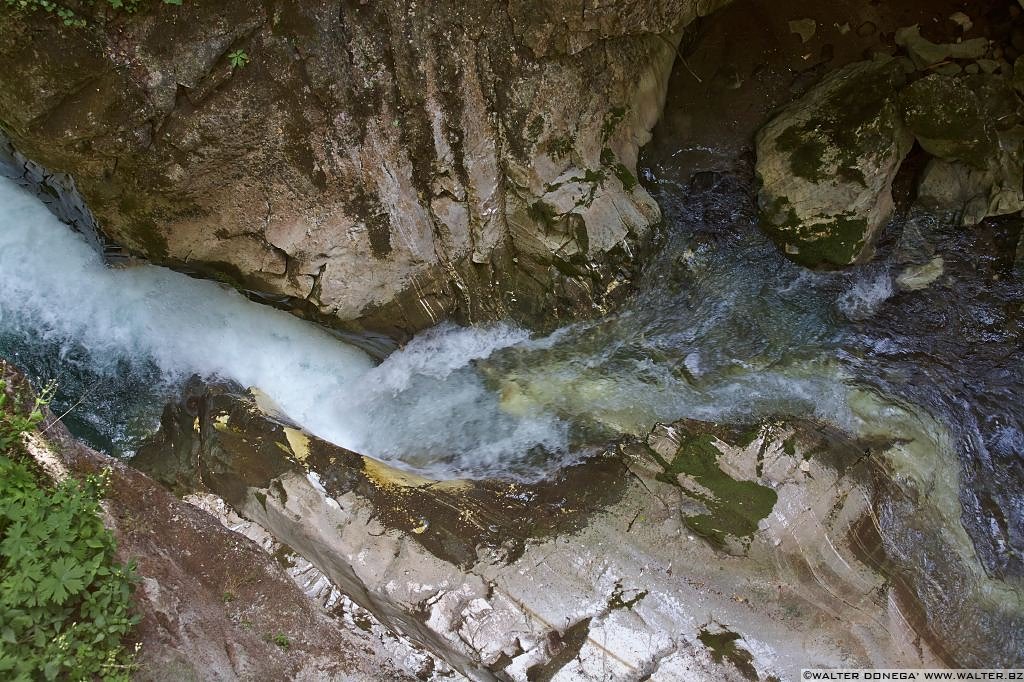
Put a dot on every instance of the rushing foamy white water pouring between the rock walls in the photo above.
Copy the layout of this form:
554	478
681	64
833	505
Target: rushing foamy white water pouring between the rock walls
423	404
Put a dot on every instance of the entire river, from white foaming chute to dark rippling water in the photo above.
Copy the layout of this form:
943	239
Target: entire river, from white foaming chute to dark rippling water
919	352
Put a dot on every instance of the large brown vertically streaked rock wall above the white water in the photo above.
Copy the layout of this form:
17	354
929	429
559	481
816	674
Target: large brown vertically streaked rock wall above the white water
385	165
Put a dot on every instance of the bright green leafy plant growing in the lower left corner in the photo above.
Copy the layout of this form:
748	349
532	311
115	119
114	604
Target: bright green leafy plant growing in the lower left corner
65	601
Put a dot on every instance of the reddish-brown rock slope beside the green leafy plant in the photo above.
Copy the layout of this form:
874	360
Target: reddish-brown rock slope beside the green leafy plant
212	605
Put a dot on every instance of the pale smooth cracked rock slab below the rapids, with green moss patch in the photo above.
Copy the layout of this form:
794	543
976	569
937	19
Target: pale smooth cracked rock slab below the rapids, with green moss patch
700	552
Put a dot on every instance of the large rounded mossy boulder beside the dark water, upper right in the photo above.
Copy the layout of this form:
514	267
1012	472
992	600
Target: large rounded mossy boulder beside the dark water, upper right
827	163
